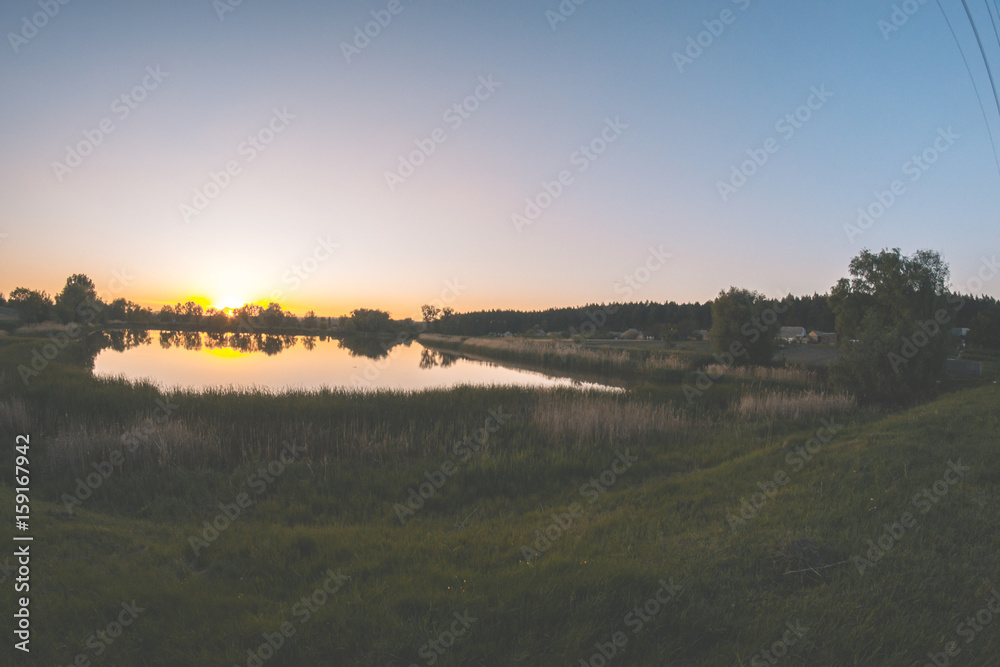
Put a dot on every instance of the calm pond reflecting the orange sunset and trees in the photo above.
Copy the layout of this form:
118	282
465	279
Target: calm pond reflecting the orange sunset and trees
195	360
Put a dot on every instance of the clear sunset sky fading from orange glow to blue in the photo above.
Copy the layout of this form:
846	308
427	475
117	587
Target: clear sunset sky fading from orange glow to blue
392	153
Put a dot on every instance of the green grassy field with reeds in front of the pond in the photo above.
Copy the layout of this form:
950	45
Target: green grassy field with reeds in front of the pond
500	526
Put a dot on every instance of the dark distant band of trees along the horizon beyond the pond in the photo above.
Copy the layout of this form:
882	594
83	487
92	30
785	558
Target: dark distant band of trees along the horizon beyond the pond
79	302
